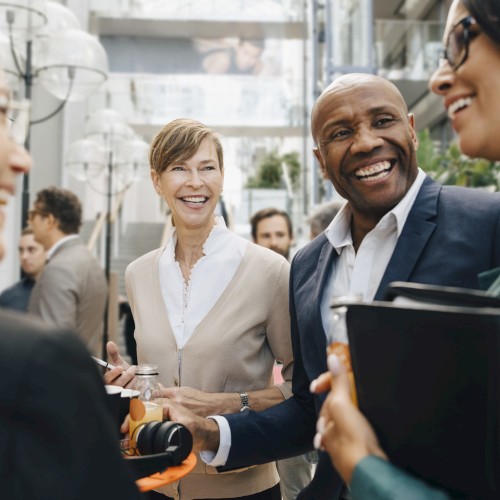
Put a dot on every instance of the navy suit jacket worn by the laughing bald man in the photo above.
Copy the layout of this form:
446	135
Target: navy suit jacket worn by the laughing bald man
450	235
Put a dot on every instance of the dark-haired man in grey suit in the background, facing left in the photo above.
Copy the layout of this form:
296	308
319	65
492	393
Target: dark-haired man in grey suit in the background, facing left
72	290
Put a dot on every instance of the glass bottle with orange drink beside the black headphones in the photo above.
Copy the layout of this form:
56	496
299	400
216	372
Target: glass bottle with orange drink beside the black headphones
147	407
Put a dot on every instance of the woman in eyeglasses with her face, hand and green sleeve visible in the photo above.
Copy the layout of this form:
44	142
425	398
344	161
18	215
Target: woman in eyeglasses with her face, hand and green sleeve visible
469	80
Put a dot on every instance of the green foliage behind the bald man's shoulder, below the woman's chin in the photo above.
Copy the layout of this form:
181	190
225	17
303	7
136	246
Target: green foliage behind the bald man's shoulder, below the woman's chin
453	168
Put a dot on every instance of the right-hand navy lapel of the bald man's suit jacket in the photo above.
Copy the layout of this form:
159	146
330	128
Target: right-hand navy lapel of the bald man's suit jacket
417	230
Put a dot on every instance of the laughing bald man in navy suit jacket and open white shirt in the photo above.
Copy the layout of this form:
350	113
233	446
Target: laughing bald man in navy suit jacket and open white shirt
397	225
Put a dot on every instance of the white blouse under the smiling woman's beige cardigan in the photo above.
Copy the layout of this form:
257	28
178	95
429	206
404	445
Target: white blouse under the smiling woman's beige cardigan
188	303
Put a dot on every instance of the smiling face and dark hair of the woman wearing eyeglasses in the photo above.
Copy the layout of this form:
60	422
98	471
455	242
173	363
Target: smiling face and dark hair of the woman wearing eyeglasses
469	76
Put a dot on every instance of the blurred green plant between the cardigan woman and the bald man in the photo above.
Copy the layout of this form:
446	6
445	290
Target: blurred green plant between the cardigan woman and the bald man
270	171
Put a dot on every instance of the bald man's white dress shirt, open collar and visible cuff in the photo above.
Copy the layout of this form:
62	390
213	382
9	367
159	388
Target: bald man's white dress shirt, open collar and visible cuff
352	273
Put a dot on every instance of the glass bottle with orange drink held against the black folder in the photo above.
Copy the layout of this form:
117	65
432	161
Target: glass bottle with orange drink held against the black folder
337	338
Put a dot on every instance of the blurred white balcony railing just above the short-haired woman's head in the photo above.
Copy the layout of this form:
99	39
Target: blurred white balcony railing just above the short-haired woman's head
218	100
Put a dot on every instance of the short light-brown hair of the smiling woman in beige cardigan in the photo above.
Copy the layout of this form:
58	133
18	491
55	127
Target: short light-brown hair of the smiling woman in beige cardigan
178	141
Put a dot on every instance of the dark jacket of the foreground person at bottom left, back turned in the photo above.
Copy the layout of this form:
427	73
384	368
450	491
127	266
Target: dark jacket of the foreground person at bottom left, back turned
57	440
